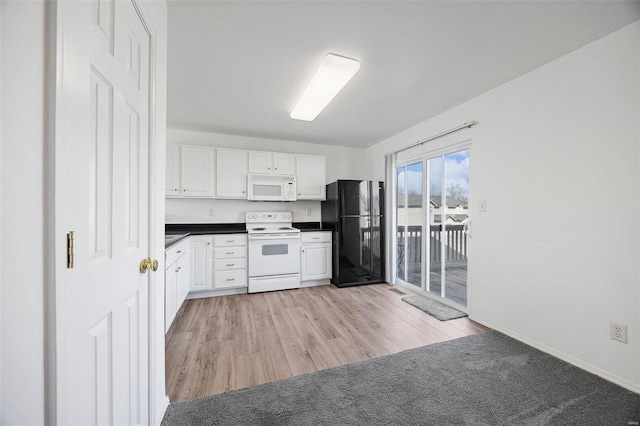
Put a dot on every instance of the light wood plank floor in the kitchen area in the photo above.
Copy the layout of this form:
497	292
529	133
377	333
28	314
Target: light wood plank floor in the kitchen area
224	343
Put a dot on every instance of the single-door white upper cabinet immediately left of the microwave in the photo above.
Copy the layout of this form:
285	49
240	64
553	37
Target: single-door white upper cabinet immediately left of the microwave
231	173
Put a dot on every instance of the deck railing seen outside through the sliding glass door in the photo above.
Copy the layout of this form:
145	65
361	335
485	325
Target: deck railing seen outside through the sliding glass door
410	244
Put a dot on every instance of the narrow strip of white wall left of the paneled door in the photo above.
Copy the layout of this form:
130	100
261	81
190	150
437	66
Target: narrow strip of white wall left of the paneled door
22	207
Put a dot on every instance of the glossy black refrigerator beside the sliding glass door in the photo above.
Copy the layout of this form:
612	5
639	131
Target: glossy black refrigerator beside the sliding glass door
353	212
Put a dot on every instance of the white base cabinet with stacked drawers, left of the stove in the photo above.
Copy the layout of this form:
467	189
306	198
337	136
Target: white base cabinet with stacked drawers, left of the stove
229	261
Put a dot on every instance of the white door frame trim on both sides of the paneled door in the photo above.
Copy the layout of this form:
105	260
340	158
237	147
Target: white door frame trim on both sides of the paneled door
55	242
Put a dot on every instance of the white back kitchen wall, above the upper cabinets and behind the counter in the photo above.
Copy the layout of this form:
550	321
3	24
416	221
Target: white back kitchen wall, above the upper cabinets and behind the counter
342	163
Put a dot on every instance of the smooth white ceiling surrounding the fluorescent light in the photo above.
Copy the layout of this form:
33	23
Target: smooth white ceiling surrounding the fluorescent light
239	67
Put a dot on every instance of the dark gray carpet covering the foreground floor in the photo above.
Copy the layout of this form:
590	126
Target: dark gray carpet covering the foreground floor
485	379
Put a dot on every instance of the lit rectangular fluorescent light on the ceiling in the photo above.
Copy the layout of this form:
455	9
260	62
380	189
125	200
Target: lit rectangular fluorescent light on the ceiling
332	75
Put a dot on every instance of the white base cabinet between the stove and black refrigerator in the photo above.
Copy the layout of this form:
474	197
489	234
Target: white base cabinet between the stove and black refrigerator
315	256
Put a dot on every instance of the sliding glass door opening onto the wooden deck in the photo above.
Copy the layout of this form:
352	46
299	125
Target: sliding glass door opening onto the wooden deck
432	219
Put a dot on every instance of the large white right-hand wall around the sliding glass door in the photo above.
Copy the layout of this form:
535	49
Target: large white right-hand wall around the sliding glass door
563	138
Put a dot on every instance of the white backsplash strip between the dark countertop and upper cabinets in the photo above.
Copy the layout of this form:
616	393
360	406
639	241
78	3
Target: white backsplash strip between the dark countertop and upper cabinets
191	210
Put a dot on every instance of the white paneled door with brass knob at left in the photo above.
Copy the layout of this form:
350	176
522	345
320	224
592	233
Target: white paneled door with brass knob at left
102	186
